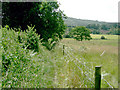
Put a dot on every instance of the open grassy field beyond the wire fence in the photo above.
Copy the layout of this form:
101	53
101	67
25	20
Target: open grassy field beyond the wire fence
99	53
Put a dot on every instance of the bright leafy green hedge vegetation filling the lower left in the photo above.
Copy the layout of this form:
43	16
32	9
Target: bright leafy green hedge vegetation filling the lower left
22	67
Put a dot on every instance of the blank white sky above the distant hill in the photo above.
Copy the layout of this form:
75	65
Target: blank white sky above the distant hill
101	10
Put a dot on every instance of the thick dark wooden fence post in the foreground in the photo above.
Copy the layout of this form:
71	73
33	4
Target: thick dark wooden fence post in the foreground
97	77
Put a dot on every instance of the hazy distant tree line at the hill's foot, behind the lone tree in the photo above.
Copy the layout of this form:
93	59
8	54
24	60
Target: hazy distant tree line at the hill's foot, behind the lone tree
111	28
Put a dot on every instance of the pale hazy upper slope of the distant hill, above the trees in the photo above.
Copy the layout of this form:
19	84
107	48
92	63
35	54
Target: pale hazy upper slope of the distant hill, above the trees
81	22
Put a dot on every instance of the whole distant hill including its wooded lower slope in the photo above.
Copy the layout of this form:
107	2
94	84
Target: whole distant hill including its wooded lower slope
96	27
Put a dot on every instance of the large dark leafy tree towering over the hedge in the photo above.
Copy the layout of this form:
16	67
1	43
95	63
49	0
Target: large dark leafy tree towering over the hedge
46	16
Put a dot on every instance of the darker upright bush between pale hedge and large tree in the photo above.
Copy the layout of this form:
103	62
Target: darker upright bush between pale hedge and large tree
30	38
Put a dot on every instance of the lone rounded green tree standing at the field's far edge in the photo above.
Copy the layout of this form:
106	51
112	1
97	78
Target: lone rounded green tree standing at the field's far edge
80	32
